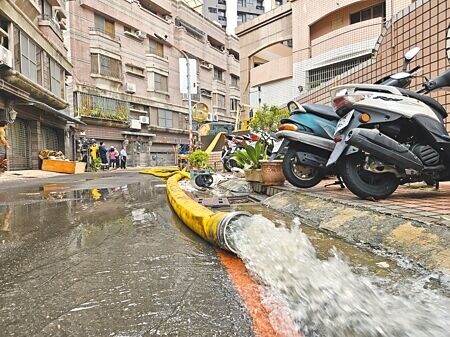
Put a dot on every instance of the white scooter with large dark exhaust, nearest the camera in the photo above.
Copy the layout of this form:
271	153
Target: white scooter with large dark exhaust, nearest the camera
390	137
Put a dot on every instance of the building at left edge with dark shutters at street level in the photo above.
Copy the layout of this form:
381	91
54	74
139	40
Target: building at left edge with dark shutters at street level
33	72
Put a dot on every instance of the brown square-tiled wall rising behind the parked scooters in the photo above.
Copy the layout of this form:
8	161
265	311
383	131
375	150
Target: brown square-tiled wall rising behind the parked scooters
424	24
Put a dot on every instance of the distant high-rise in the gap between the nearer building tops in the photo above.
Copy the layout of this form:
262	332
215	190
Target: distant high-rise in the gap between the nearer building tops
230	14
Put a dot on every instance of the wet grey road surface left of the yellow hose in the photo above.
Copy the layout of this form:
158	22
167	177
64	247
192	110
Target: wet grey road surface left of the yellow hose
104	255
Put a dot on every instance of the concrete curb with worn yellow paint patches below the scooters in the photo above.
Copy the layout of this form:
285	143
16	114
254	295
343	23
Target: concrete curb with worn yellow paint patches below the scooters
426	244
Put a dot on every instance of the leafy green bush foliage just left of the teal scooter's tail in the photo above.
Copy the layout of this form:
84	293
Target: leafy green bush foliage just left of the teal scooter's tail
267	118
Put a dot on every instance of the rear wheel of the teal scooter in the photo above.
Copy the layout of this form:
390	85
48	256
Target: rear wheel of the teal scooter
298	174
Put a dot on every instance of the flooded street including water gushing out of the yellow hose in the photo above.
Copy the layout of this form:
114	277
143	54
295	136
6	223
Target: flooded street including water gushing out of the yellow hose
104	255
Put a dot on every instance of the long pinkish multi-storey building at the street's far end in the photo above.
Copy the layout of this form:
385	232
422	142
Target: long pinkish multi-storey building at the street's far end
127	80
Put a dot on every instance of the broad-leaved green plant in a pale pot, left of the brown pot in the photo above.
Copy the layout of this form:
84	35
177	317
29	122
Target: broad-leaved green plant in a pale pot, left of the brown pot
250	159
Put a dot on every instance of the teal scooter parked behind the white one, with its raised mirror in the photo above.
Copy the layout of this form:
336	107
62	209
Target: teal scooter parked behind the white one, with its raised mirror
308	134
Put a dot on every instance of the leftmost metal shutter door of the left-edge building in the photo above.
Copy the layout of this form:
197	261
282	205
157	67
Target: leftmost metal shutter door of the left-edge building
19	139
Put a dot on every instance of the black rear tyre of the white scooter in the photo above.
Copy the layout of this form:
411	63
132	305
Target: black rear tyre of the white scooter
363	183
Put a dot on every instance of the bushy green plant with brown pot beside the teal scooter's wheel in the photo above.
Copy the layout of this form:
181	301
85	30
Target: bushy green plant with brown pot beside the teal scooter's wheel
266	121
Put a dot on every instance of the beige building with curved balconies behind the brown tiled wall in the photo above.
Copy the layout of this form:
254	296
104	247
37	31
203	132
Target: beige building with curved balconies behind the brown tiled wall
301	46
